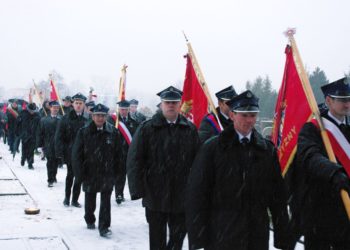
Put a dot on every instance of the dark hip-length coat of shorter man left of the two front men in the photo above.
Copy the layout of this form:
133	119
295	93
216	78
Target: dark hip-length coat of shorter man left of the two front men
97	157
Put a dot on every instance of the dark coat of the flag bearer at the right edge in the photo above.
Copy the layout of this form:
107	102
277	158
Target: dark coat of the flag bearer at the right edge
318	205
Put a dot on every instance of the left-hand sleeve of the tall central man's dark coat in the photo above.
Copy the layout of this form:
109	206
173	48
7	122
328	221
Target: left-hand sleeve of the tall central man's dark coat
135	165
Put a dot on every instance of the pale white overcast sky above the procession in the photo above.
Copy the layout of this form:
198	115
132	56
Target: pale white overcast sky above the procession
235	41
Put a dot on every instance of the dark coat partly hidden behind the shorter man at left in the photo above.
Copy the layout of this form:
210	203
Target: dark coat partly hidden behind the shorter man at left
65	134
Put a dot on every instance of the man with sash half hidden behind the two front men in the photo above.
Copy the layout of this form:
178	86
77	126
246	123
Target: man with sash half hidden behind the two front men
210	126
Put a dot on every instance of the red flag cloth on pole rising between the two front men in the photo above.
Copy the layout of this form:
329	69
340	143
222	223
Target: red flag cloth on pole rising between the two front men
194	101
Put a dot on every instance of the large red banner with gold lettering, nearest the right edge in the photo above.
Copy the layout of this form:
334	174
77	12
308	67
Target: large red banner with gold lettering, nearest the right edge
291	112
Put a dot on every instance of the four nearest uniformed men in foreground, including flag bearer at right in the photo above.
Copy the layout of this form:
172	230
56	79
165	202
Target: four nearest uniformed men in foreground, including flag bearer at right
222	183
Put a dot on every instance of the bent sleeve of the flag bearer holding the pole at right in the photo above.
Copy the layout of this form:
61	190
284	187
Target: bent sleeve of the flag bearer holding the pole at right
312	155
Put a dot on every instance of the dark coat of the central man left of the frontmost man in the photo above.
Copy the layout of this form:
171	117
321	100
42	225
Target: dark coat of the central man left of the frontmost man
159	162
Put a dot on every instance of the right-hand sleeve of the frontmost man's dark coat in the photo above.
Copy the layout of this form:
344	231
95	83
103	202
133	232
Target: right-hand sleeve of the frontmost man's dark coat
278	204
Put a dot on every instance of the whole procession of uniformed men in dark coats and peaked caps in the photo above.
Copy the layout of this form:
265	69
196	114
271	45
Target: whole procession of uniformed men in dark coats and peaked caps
220	183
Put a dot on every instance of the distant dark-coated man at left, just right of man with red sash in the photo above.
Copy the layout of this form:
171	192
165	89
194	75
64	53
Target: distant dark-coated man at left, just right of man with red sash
28	121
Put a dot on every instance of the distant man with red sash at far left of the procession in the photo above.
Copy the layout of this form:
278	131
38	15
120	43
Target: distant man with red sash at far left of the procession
12	113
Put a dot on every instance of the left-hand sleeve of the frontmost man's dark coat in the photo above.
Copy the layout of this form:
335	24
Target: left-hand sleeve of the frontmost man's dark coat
198	195
